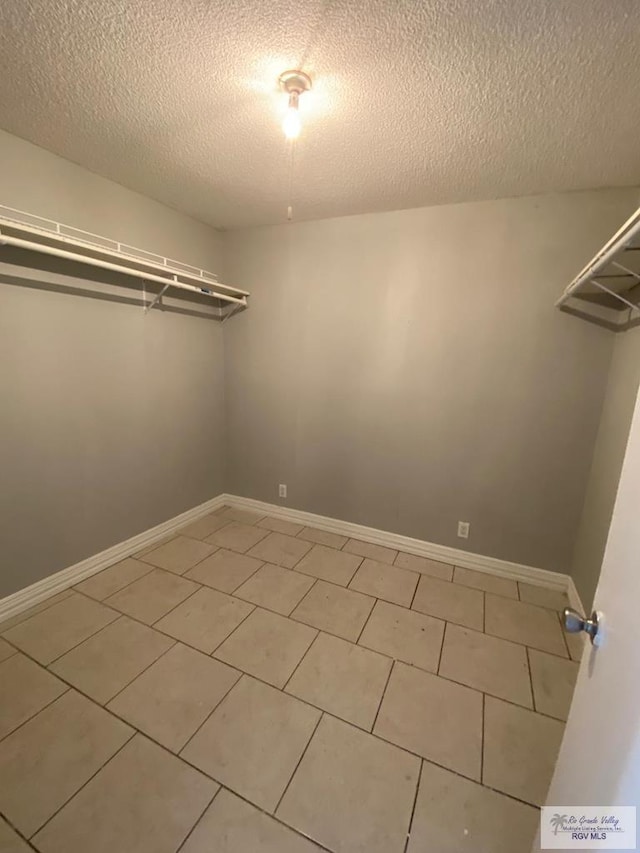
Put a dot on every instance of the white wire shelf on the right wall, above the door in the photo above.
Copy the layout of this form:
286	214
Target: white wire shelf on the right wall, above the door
608	288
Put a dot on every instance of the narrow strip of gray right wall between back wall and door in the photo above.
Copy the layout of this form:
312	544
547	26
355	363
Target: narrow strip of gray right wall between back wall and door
608	456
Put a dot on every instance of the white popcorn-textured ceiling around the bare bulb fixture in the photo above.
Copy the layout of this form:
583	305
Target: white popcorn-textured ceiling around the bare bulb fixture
415	102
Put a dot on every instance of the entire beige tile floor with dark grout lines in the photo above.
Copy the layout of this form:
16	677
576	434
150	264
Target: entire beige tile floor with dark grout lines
255	685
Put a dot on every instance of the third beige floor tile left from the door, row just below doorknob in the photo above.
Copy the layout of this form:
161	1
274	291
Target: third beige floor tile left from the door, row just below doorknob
404	635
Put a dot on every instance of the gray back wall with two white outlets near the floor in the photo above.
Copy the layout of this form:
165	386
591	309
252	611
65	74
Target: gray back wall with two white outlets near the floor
408	370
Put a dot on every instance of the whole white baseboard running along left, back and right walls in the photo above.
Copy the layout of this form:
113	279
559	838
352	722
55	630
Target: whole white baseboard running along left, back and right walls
51	585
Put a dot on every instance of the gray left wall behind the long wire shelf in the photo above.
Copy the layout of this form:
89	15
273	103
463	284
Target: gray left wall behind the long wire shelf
111	421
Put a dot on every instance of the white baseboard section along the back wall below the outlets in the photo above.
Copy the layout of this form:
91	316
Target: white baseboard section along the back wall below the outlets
442	553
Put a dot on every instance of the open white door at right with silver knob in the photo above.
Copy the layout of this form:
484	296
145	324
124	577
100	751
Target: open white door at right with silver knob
599	761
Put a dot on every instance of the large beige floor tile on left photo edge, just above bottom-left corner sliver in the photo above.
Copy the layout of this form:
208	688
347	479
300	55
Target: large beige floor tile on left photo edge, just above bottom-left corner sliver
46	761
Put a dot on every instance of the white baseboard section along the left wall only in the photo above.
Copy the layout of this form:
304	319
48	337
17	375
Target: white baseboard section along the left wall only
51	585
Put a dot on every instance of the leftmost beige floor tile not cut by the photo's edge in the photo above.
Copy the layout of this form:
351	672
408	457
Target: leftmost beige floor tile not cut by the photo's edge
108	661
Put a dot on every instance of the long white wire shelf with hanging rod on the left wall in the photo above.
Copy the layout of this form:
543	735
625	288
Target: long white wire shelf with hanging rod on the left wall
46	236
